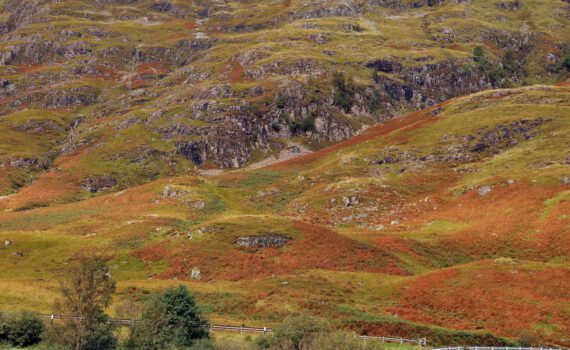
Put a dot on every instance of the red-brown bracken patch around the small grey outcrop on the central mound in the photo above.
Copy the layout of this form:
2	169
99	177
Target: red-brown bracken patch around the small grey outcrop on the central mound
319	248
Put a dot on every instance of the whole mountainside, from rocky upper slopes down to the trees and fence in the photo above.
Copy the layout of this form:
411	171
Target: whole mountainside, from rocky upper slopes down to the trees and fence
127	128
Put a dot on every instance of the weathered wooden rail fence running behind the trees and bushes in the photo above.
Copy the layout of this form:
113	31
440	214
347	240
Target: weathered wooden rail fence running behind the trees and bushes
245	329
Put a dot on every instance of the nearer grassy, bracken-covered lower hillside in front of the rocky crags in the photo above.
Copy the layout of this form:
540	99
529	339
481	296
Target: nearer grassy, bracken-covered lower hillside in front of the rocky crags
453	217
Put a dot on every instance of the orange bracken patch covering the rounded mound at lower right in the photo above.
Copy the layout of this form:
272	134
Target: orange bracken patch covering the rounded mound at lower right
503	298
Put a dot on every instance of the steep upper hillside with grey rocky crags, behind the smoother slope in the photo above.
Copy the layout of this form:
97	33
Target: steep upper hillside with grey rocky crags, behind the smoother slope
109	94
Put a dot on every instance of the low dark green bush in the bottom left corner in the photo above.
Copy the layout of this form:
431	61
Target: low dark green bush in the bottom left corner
25	330
